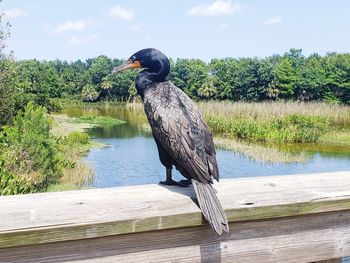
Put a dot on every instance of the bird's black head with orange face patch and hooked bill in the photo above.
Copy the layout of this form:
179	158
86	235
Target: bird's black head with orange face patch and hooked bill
152	60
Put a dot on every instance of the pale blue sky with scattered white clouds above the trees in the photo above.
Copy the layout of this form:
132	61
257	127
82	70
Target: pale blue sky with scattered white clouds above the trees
202	29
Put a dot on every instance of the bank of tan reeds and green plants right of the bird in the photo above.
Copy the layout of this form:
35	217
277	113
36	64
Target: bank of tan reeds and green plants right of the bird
276	122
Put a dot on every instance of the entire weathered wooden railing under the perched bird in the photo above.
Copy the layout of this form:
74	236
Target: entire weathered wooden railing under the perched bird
292	218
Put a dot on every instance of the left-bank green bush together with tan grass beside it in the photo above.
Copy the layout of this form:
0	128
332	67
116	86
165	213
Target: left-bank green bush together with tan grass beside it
32	158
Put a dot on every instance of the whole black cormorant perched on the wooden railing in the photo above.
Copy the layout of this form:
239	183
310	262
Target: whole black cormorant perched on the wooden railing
181	134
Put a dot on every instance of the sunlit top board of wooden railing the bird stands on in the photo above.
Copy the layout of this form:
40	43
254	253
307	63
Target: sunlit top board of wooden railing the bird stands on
51	217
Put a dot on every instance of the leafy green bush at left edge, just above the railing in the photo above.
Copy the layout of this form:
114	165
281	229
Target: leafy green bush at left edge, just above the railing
29	156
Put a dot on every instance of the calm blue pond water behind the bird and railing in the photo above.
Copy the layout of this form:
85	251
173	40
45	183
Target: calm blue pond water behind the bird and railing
131	157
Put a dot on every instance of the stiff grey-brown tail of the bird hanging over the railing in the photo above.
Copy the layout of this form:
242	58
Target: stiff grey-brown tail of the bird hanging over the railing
210	206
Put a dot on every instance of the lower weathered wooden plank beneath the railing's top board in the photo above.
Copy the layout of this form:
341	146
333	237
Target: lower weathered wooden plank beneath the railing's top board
306	238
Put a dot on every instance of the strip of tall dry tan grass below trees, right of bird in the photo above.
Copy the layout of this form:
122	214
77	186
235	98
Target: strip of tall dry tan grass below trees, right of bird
338	115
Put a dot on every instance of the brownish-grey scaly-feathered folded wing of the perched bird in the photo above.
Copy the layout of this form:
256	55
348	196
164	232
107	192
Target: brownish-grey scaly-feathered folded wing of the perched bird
179	127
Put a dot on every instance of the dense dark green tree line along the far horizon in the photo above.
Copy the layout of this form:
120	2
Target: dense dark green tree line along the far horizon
291	76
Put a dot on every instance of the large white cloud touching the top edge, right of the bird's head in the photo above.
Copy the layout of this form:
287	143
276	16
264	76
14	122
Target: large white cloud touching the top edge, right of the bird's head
217	8
